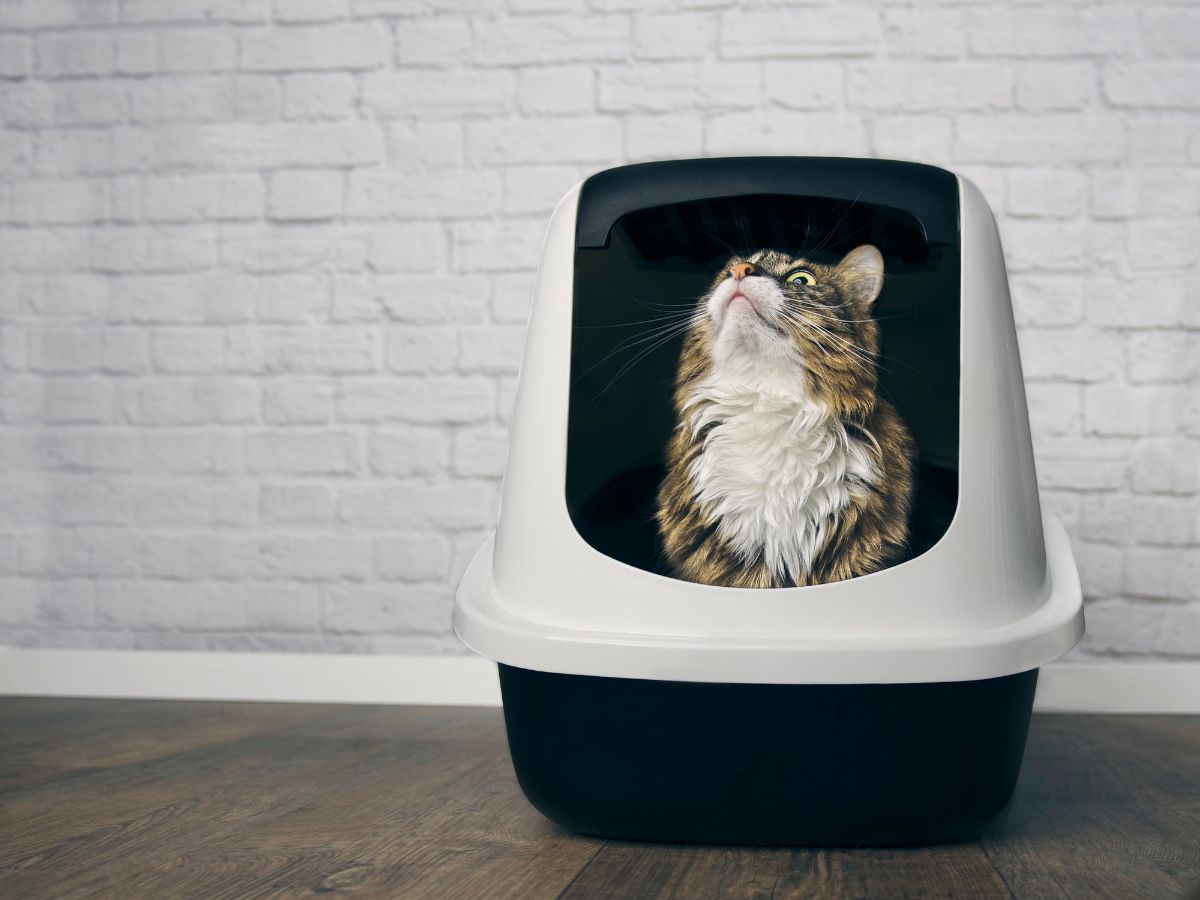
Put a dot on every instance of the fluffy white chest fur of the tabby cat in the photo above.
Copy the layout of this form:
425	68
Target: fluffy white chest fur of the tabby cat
776	470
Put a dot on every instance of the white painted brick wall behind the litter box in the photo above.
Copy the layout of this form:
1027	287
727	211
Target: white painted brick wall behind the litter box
265	269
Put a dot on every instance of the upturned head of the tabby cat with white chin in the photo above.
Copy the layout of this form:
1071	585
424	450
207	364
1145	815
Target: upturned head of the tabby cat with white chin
773	315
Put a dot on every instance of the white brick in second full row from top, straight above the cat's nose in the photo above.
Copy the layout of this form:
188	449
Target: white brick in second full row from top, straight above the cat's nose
669	87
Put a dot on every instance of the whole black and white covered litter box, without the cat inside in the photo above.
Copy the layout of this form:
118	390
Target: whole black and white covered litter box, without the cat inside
886	709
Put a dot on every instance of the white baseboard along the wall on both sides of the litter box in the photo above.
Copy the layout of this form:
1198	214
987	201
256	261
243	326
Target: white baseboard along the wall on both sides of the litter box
470	681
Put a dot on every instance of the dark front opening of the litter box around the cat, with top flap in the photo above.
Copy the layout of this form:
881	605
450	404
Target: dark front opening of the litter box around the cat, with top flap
634	279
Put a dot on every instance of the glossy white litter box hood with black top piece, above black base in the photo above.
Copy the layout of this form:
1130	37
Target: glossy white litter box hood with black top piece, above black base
998	593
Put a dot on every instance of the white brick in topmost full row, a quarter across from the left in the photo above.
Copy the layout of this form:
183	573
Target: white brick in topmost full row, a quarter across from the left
333	47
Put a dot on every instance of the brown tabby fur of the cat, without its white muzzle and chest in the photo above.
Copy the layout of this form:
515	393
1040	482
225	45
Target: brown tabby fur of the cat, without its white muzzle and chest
872	532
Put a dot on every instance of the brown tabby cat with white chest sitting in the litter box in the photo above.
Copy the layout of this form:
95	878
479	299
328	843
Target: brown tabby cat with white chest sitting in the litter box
787	467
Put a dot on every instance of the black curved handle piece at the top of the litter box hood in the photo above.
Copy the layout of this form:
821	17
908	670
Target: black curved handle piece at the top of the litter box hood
927	193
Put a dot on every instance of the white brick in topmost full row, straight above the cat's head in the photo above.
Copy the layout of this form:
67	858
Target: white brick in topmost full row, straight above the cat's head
842	32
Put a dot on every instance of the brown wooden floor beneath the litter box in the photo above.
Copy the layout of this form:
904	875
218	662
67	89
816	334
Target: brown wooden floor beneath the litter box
151	800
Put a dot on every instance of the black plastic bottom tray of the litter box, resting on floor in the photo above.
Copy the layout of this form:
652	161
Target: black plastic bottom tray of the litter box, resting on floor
767	765
